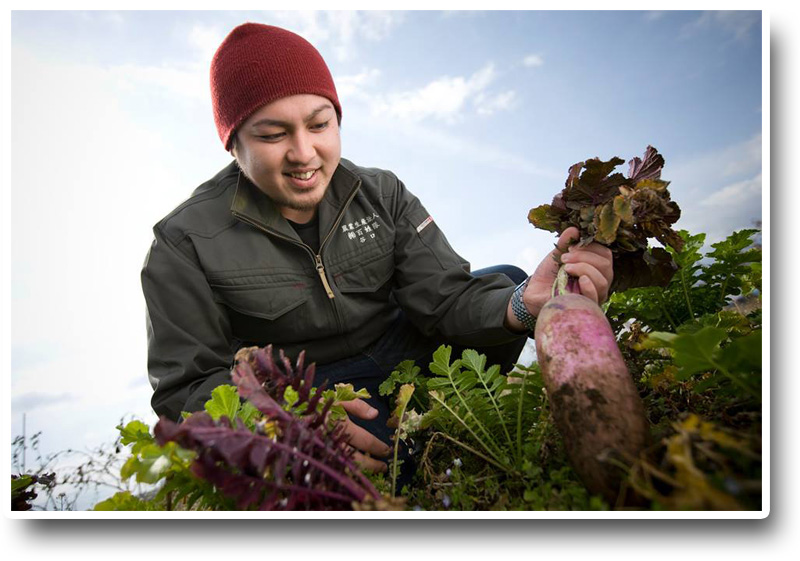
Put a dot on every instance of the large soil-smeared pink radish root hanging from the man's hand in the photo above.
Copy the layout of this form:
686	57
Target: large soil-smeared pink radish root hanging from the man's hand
593	400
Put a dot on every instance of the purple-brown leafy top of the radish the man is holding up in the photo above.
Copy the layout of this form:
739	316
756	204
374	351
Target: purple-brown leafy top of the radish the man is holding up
620	212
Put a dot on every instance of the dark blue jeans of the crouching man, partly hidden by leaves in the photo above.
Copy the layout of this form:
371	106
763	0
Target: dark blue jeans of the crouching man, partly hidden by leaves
402	341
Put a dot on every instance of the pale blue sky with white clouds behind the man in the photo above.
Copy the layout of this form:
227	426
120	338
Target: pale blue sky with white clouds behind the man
479	113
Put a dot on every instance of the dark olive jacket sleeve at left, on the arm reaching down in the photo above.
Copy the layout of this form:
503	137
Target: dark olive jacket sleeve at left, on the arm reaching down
189	341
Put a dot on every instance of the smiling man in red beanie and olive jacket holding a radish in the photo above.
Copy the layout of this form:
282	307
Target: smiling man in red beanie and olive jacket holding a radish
293	246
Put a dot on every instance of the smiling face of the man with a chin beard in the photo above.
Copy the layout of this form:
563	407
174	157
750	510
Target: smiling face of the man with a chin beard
289	149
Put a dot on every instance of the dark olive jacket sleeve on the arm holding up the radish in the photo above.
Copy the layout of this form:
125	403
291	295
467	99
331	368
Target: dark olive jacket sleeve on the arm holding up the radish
434	285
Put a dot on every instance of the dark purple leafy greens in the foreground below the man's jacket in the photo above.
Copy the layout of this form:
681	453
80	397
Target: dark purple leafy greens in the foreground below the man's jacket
293	460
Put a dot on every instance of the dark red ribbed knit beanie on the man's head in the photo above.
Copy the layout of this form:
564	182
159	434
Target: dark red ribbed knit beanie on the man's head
257	64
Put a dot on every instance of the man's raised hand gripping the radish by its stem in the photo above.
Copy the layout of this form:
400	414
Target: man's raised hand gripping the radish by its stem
592	265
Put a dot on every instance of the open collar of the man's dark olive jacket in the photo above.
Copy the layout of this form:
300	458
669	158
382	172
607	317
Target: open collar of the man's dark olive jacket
251	204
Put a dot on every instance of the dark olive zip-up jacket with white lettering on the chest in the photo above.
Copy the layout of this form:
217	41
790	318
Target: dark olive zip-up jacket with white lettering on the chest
226	270
